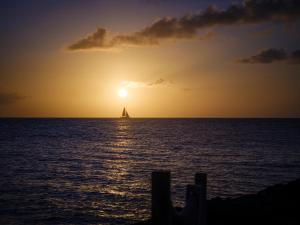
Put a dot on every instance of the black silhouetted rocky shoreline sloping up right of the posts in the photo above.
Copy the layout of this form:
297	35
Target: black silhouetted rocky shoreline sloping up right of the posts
275	205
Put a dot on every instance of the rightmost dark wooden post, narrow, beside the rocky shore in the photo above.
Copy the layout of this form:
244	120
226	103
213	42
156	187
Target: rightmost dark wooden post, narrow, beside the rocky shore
201	183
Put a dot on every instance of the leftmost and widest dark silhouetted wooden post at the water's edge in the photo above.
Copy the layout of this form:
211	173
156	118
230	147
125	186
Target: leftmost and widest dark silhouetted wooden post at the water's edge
161	198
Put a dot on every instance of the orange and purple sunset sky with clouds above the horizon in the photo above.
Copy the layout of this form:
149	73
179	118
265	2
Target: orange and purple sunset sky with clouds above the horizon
174	58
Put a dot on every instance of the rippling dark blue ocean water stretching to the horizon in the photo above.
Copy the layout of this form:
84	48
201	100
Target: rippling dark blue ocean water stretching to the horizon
97	171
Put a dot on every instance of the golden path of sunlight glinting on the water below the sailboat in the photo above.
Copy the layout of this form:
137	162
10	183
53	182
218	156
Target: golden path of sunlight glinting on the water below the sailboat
118	171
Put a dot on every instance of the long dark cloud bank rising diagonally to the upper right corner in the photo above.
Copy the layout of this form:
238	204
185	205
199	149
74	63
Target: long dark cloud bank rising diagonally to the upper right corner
186	27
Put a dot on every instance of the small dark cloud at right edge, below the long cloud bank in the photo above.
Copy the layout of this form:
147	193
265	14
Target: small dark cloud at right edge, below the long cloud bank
272	55
